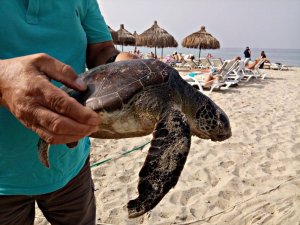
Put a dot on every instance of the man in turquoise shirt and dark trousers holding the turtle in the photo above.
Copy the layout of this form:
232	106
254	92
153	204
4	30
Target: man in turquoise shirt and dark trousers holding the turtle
44	42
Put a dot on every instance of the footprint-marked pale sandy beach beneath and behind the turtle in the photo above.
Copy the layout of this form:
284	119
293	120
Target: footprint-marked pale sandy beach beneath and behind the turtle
251	178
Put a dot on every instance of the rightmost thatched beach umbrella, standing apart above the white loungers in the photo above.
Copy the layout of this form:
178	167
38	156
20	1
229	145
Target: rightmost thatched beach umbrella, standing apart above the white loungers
201	40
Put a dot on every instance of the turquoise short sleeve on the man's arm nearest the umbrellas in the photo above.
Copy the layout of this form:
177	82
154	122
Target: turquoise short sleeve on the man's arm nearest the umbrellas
94	24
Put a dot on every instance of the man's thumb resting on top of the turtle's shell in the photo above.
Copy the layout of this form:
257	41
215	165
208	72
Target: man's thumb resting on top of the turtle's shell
58	71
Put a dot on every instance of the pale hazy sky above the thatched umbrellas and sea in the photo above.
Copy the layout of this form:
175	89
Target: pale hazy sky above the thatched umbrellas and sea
235	23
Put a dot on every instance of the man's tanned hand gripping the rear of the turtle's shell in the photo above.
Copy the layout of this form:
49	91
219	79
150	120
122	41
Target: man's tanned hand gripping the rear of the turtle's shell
25	91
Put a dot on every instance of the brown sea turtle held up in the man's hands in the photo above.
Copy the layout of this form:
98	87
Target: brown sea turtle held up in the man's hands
138	97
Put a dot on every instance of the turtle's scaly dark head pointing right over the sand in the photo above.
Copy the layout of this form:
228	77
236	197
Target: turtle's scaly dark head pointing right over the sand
210	122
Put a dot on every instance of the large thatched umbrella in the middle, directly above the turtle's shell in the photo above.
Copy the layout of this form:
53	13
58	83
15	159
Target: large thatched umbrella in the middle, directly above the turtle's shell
155	36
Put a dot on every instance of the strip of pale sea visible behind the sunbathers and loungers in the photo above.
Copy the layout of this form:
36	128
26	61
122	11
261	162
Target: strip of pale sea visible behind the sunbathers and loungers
289	57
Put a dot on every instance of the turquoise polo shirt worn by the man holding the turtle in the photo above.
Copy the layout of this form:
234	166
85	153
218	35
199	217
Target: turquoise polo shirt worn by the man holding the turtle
61	29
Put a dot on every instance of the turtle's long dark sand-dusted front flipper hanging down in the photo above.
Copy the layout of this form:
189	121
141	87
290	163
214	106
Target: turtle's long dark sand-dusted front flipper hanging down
164	162
